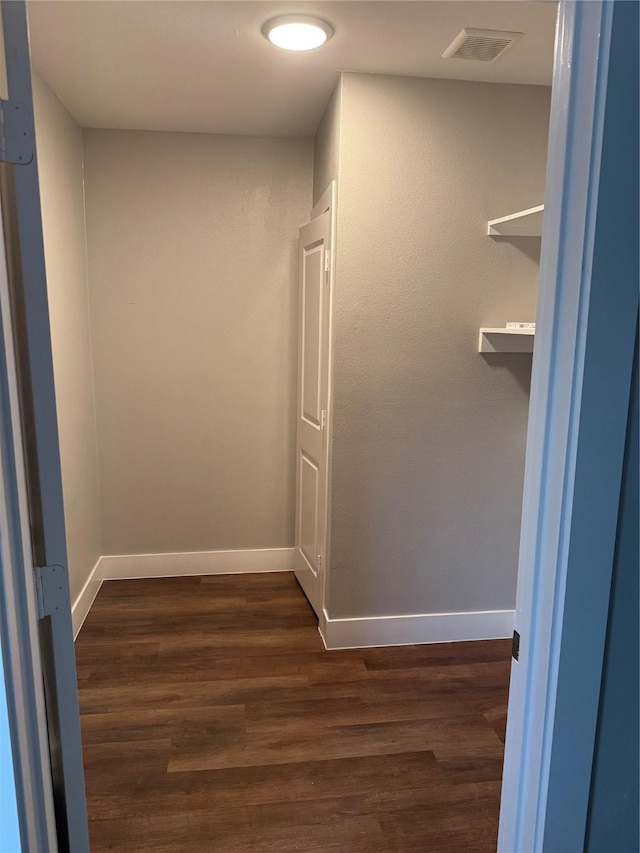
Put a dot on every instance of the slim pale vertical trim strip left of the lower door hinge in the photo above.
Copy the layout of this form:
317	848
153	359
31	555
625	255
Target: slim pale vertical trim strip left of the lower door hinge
18	616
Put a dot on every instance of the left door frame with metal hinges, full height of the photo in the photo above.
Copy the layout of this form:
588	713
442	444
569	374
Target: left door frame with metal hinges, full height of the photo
34	583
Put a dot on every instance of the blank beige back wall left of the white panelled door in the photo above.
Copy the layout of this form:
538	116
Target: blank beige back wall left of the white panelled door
193	275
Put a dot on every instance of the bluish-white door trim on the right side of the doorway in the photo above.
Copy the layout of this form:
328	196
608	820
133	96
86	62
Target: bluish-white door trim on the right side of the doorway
569	402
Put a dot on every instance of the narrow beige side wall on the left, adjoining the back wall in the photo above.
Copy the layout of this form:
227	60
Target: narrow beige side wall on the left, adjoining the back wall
59	143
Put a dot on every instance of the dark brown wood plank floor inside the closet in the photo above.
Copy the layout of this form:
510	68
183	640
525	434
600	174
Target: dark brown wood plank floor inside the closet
213	719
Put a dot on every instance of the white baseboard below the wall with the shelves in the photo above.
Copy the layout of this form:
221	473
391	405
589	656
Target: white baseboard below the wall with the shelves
409	630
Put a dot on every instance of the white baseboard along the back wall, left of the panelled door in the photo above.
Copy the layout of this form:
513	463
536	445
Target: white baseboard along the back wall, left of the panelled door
124	566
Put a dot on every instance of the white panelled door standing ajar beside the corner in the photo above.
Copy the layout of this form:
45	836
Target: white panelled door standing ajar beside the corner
313	393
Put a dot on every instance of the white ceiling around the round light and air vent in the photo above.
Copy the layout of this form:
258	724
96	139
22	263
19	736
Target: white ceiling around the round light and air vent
205	67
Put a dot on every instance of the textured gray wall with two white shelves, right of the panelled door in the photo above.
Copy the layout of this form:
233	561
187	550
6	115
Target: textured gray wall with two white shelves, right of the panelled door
429	436
